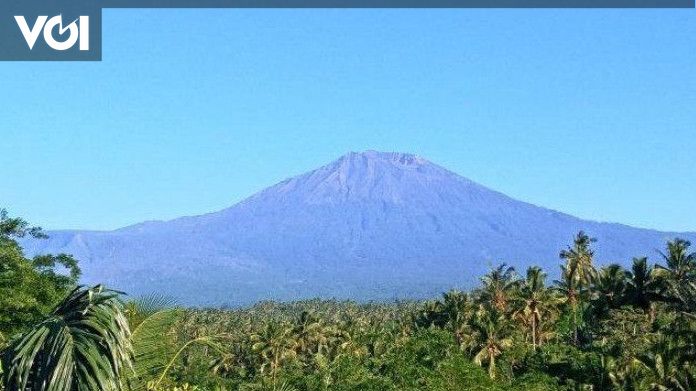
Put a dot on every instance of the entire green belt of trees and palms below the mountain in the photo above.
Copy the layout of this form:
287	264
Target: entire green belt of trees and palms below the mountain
591	328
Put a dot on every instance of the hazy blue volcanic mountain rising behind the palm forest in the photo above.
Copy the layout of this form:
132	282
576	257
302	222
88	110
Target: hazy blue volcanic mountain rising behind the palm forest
370	225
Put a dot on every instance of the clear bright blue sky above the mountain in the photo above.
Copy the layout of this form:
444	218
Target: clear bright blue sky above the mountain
591	112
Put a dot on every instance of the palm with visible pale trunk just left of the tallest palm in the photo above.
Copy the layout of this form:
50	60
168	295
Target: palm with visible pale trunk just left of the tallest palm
536	302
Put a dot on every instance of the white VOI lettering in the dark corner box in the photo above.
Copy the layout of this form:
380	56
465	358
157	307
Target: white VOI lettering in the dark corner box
78	32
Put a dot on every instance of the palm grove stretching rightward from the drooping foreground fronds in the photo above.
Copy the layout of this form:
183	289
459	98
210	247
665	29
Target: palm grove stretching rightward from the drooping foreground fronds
607	329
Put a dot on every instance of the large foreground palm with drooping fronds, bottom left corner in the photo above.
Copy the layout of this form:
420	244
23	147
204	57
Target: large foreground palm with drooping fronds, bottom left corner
83	345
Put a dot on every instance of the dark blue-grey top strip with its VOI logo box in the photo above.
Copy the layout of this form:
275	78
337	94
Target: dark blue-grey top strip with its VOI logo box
48	30
